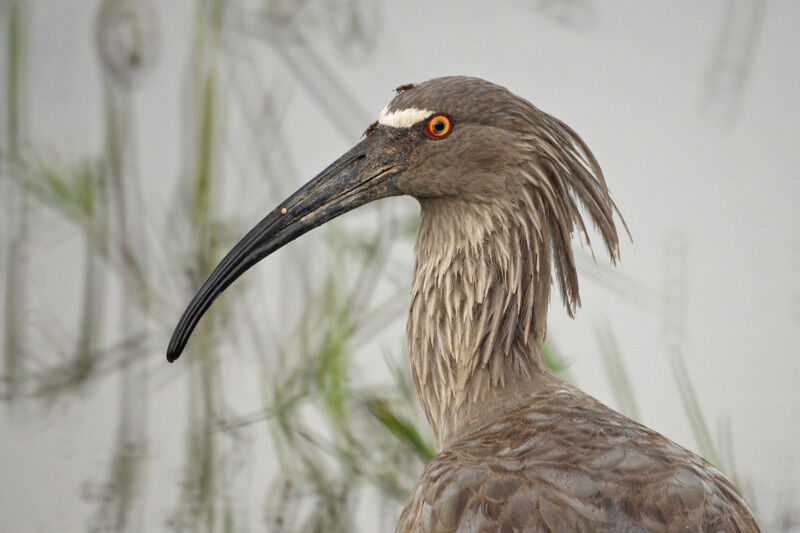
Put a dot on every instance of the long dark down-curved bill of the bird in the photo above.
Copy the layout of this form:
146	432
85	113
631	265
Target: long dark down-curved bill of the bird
367	172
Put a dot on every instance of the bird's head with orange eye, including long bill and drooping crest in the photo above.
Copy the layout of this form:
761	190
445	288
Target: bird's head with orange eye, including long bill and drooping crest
454	139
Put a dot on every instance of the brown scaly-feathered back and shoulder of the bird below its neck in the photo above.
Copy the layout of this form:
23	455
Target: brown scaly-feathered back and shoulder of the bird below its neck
568	463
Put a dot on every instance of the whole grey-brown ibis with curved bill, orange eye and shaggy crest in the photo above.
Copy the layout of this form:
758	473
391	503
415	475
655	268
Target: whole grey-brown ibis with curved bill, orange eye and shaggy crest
503	189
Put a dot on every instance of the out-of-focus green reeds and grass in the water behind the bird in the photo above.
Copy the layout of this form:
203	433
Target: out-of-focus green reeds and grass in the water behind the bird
340	448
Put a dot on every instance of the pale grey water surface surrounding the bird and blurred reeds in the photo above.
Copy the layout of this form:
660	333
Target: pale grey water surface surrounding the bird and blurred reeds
709	164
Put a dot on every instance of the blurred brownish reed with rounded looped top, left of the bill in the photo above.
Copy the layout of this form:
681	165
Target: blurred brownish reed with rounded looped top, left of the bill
125	38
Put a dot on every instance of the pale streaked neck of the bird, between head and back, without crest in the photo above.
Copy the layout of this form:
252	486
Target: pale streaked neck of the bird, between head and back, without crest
479	301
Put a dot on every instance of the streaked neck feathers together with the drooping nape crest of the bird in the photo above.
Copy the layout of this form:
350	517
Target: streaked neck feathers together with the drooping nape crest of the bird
485	260
